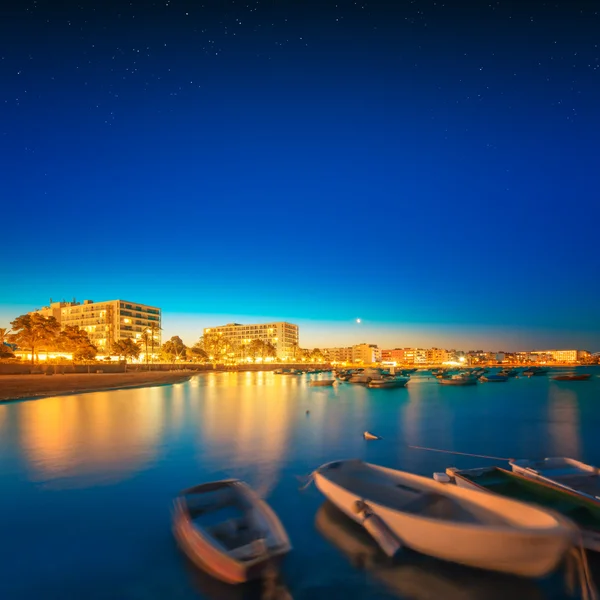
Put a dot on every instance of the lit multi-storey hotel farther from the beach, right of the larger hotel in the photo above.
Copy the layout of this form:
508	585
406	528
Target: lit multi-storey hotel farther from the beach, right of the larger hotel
283	336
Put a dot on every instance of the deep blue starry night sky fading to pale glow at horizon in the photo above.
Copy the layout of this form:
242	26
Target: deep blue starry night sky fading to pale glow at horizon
432	168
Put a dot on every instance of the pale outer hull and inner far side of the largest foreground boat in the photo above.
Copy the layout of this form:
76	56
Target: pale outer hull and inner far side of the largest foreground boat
524	551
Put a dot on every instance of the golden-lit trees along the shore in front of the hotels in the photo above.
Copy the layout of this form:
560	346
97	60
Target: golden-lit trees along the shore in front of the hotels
35	332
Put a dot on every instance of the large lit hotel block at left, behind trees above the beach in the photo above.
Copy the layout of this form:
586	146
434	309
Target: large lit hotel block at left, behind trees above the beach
108	321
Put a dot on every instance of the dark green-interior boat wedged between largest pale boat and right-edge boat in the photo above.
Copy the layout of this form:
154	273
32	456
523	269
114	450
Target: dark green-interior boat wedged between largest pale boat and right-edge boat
583	511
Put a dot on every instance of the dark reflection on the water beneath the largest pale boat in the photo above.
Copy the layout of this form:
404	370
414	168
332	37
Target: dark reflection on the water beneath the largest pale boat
416	577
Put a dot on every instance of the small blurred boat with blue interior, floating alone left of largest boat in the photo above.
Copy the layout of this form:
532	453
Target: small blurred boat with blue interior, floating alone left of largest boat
226	529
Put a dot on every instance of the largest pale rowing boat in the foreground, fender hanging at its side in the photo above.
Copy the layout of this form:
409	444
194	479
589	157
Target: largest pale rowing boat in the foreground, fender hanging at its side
450	523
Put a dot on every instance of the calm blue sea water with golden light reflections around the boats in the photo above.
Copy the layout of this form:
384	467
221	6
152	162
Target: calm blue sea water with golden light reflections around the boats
87	481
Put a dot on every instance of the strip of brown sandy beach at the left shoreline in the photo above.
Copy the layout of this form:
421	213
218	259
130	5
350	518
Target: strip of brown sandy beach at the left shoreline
15	387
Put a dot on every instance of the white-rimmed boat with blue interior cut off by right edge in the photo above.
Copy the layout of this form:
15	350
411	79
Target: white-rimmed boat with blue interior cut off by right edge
563	472
